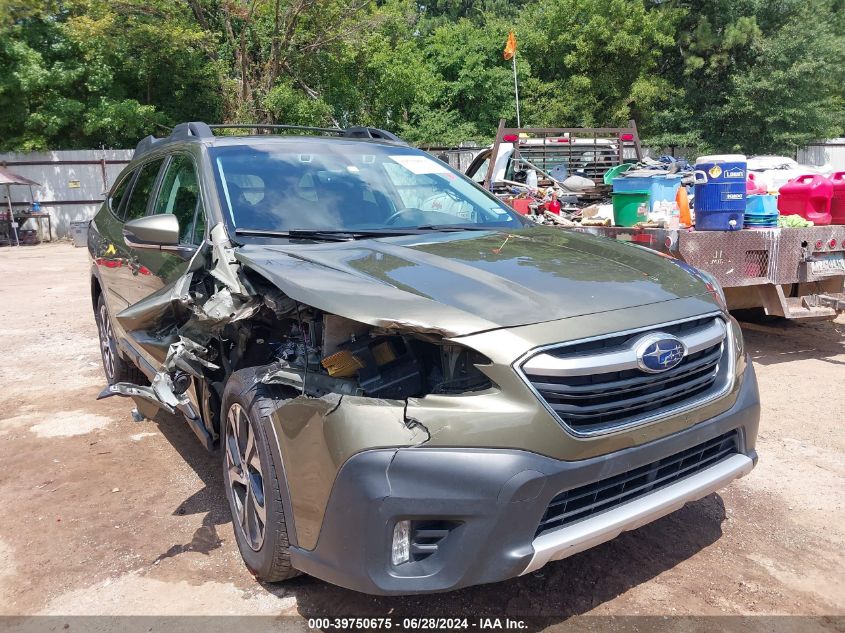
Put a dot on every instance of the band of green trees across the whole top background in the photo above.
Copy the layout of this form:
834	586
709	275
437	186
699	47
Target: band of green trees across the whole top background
726	75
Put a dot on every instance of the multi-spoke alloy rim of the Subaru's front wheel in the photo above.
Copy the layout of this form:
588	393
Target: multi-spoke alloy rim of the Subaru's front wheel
245	476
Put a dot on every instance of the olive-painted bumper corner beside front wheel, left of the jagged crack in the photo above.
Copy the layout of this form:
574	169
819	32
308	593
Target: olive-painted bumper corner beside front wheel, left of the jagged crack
317	435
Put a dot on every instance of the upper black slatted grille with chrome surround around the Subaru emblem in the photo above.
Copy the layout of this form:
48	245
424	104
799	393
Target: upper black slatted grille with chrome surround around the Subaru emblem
602	397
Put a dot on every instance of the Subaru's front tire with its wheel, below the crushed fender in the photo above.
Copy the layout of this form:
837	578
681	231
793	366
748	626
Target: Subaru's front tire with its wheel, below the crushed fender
246	406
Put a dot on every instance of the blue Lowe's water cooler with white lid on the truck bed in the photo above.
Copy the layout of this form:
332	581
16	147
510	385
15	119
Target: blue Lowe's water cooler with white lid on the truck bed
720	192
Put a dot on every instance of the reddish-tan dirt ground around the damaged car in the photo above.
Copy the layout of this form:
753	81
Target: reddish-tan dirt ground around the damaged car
103	515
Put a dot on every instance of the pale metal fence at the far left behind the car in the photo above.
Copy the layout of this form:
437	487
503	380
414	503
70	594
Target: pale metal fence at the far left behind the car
72	183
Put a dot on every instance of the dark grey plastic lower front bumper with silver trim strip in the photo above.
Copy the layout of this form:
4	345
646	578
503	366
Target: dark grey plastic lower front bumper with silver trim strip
494	499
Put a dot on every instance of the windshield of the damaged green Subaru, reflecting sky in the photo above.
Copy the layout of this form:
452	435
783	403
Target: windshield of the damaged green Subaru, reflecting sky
348	186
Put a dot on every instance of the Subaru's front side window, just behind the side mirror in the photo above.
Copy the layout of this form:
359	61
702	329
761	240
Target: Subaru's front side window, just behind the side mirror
179	195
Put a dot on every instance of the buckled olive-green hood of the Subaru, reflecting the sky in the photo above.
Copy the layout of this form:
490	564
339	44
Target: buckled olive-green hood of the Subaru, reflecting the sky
459	283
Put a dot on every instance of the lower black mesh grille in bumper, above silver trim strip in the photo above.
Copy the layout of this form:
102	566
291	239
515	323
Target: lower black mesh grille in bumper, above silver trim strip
580	503
